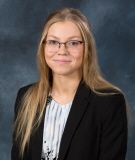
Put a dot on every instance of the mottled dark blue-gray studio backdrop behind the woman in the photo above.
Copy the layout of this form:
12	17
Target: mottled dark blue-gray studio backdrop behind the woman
21	24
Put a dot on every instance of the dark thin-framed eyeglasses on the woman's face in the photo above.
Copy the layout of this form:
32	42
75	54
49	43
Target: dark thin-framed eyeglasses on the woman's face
53	45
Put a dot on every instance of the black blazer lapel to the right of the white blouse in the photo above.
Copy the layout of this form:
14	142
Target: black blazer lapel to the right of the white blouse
78	108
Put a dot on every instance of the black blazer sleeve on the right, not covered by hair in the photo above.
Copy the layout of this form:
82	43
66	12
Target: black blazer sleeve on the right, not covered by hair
114	129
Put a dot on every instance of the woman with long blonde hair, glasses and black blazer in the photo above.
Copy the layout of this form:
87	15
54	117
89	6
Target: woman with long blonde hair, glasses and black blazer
72	112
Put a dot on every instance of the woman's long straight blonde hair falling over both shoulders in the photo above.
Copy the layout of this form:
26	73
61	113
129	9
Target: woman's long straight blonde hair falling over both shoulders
34	100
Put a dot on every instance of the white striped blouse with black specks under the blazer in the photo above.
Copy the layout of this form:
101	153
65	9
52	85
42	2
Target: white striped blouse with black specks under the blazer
54	123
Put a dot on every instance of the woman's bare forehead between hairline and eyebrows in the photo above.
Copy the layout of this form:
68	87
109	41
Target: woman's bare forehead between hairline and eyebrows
64	29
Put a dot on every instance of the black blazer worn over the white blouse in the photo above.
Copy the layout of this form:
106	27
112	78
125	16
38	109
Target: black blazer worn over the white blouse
96	128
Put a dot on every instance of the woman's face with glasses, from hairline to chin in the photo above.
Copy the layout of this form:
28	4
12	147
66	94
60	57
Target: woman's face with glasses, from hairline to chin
64	59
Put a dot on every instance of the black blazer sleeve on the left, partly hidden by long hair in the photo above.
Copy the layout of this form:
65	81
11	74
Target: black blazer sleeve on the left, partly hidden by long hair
15	146
